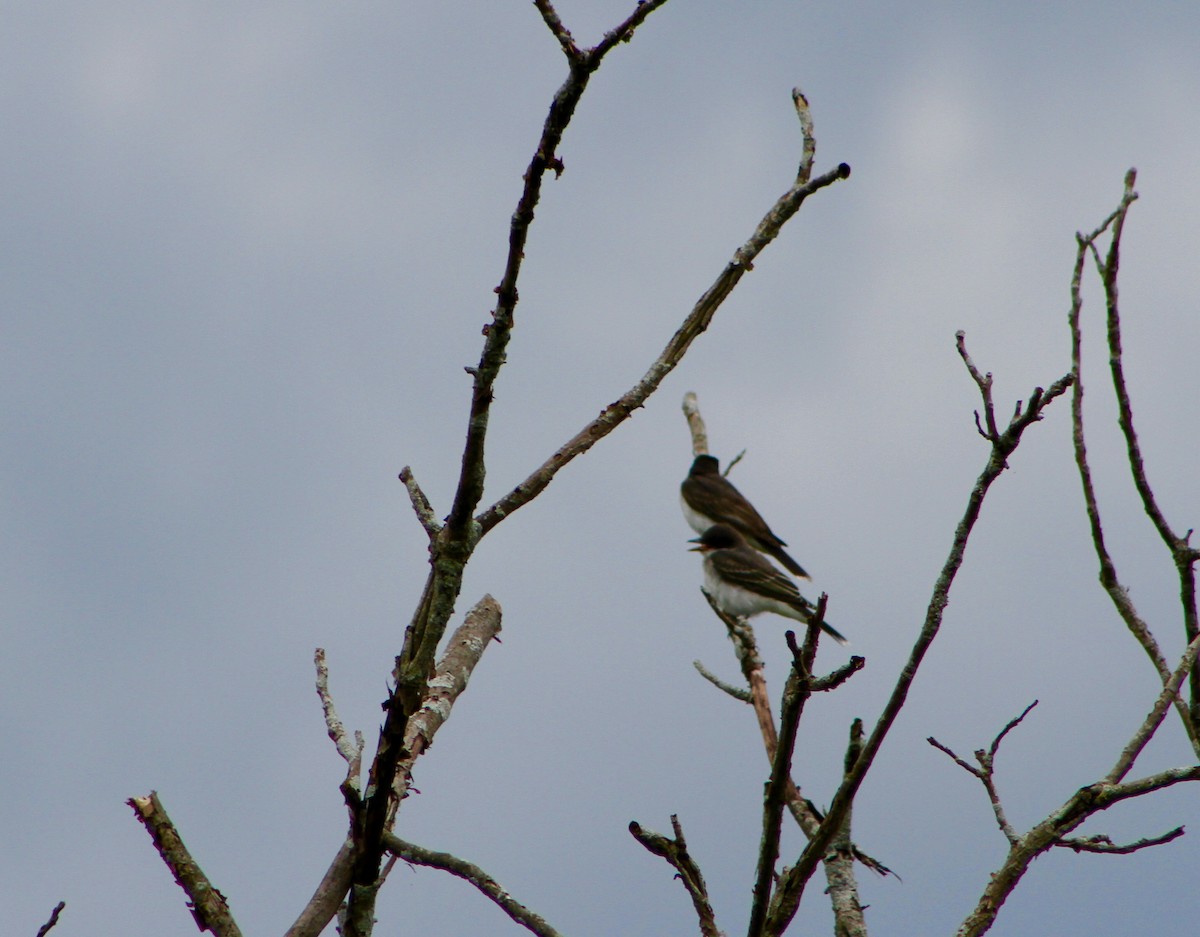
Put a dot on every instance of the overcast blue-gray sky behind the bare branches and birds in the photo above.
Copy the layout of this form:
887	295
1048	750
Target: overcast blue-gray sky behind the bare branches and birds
248	254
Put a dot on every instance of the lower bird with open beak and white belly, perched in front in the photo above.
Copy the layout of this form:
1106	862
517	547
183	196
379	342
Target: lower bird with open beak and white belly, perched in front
745	584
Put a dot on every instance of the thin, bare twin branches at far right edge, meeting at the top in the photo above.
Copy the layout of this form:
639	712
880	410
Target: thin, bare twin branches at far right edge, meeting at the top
1184	556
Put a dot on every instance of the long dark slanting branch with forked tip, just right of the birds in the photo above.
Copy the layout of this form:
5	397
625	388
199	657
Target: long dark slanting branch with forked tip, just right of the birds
1003	445
